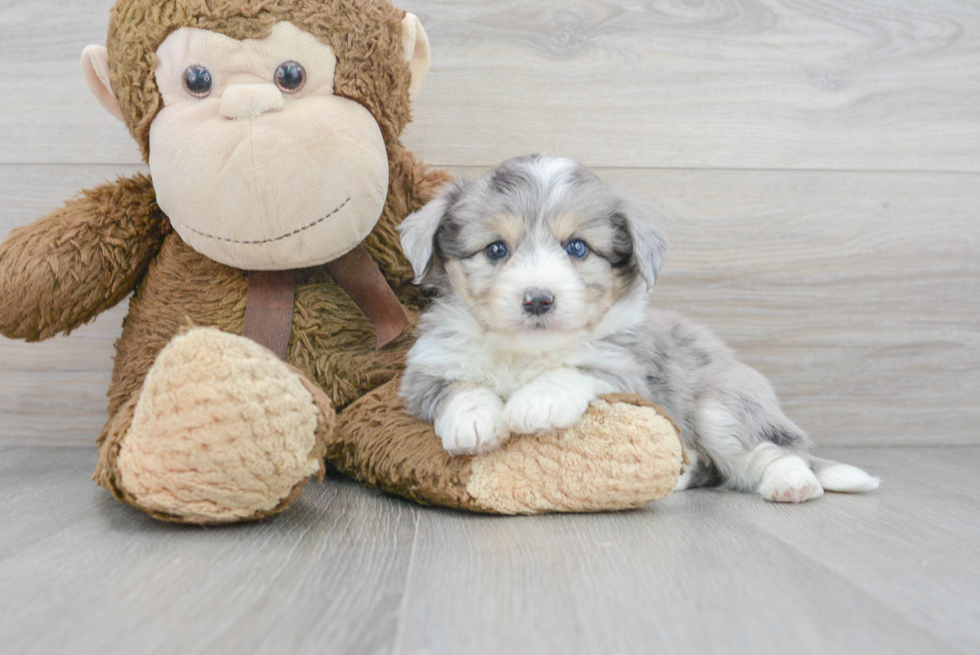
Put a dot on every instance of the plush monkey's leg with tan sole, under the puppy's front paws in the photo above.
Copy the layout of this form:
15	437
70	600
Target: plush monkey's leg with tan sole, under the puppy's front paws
622	454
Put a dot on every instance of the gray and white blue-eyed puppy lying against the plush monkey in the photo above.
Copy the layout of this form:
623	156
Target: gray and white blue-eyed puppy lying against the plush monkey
542	278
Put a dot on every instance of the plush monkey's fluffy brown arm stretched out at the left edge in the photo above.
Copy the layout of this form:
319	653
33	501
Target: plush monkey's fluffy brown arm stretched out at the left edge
75	263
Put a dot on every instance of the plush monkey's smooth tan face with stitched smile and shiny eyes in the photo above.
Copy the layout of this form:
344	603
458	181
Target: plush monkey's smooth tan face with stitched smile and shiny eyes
254	159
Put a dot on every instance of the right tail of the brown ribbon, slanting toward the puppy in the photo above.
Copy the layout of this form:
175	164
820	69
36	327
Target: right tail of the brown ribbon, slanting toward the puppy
358	275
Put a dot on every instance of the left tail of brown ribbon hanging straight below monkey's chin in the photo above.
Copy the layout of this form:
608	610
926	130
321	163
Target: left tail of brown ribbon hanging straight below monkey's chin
269	309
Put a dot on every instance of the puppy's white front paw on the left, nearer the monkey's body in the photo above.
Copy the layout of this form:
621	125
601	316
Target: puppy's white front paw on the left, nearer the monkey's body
472	422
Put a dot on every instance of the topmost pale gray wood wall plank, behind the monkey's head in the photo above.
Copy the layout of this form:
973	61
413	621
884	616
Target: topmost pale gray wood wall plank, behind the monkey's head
817	84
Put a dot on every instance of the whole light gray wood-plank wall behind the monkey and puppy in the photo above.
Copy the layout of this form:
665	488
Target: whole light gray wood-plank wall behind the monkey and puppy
817	165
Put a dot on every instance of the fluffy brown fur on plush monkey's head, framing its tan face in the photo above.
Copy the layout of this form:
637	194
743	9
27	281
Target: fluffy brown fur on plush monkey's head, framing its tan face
364	35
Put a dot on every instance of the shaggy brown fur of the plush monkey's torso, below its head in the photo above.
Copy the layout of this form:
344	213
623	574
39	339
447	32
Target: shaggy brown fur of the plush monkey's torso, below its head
330	343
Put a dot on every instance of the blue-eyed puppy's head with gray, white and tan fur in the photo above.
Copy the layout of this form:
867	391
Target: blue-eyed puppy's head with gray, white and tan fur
537	244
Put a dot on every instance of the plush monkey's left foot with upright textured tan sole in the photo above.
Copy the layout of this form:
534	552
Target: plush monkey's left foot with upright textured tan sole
222	431
